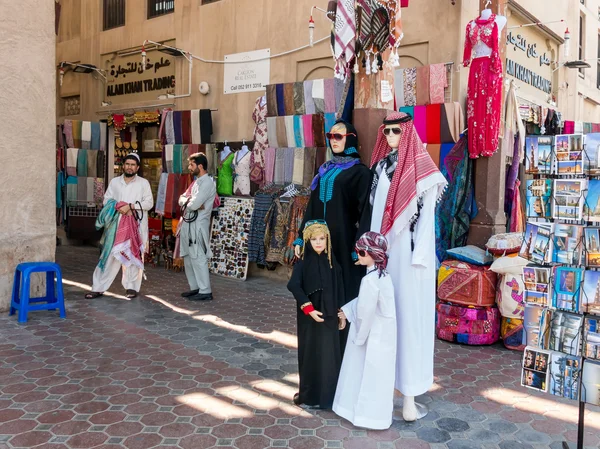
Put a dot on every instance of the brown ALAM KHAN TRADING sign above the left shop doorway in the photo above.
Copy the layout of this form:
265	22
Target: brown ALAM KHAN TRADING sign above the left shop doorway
128	81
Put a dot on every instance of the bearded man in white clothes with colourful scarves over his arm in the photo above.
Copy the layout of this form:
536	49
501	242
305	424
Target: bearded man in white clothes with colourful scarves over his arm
136	192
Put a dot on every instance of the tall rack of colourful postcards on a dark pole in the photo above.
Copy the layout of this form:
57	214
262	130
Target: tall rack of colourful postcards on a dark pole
562	283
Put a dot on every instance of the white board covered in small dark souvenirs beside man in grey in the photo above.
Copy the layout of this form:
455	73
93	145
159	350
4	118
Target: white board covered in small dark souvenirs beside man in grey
229	238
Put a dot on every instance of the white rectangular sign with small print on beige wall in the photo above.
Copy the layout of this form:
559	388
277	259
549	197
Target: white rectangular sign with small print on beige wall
251	71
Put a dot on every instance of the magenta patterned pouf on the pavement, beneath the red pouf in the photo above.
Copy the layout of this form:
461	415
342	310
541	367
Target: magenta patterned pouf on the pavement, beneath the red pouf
468	326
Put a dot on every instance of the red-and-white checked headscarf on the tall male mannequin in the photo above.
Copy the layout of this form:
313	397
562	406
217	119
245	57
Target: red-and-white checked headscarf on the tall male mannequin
415	174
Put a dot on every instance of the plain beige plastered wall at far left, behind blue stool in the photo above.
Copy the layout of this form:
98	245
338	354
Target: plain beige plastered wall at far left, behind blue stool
27	143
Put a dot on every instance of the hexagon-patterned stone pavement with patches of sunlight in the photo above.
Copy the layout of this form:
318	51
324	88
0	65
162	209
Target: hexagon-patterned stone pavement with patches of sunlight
162	372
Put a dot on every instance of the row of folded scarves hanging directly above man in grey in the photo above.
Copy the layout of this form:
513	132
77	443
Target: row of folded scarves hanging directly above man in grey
186	127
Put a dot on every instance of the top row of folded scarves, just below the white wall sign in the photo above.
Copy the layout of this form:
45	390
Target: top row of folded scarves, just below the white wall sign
308	97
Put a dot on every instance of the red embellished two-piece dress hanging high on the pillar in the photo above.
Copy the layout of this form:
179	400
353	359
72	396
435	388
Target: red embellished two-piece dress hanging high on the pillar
484	93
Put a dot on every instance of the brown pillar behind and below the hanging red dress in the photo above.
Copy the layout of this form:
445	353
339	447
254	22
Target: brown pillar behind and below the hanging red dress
490	173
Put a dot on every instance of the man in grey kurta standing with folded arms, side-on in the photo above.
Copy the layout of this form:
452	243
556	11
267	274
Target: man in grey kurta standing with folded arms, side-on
194	234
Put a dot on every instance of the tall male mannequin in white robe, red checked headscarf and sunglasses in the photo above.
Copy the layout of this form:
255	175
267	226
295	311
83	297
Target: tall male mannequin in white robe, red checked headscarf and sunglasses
412	259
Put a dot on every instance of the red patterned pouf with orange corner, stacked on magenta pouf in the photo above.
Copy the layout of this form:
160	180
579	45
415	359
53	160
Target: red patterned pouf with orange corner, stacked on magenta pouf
466	284
